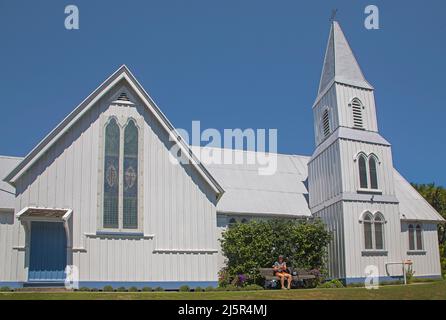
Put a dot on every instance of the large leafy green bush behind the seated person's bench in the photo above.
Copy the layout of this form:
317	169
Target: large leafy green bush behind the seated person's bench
257	244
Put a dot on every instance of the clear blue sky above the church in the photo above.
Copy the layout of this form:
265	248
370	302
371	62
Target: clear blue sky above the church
230	64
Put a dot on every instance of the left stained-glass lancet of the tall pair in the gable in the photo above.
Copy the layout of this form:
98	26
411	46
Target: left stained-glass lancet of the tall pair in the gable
111	176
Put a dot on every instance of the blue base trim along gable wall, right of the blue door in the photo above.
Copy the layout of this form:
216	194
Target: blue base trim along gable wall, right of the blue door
167	285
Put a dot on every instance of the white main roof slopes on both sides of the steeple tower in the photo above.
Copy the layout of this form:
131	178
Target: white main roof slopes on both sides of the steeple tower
285	193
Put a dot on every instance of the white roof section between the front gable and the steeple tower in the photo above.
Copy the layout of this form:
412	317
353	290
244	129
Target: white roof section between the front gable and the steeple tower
247	192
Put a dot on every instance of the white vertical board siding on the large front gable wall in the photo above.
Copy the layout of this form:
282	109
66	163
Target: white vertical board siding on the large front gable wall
178	207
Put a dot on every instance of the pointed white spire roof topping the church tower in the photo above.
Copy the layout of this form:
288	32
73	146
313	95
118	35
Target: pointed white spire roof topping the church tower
340	64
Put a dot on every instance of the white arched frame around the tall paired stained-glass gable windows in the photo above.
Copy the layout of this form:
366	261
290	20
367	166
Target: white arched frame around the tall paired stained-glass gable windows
122	122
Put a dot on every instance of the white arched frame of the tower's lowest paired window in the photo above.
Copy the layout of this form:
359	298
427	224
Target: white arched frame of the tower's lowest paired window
371	223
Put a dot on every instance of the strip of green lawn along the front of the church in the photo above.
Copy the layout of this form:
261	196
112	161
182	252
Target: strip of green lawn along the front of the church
434	290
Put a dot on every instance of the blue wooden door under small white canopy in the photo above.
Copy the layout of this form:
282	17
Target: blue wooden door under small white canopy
48	257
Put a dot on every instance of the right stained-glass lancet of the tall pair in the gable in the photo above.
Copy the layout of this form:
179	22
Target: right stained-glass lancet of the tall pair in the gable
130	205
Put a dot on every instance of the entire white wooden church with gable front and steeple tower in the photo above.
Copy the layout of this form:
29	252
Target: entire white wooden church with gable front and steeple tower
99	192
